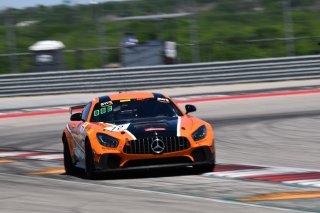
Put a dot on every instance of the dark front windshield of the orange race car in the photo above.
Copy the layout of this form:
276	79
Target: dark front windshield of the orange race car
126	110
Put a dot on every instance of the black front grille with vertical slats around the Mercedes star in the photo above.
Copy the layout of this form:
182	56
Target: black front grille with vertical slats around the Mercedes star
143	145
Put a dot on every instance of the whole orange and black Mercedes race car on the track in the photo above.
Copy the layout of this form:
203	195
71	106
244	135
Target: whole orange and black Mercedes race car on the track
136	130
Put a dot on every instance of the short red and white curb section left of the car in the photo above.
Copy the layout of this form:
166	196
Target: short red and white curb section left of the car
31	155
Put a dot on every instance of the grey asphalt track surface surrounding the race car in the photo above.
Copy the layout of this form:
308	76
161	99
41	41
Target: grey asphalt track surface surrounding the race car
280	131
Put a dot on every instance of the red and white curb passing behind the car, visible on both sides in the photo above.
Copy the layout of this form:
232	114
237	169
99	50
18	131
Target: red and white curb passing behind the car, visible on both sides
284	175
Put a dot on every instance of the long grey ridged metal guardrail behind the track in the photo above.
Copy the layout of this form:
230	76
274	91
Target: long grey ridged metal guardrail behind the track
147	78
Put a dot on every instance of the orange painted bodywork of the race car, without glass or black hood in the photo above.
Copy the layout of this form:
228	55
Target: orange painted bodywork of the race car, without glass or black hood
78	133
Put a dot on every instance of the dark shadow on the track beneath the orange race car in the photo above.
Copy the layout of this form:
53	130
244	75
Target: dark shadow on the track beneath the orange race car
140	173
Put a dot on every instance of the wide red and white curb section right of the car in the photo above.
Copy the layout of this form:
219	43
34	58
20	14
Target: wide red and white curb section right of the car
284	175
